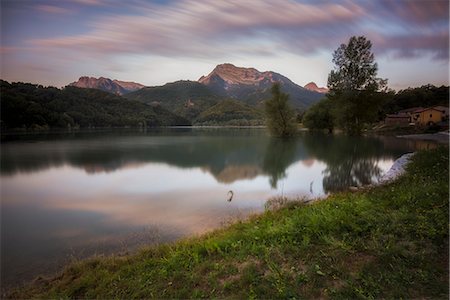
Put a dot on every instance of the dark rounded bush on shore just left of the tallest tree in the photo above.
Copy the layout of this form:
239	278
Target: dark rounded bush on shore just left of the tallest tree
319	116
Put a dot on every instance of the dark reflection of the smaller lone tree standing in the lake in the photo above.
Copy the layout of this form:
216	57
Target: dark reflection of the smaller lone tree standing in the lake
280	153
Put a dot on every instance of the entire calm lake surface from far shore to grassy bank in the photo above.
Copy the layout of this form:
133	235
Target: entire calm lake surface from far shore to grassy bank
73	195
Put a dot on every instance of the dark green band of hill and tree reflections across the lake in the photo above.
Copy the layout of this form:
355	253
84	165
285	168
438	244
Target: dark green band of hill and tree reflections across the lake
229	155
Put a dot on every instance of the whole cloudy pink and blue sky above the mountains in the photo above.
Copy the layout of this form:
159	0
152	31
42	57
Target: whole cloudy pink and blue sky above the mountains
54	42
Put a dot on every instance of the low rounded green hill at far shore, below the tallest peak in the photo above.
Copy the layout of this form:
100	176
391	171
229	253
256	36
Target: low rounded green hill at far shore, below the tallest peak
231	112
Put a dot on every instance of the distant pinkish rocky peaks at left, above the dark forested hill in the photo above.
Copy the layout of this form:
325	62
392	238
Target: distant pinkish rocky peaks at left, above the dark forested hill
105	84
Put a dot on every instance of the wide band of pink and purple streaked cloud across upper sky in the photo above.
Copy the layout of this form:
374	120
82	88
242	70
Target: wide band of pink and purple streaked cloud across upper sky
217	28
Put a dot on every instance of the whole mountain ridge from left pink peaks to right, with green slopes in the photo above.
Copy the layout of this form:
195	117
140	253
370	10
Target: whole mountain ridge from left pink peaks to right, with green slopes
189	99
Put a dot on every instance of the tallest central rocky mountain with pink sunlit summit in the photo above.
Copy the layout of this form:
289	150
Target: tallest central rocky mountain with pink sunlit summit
253	87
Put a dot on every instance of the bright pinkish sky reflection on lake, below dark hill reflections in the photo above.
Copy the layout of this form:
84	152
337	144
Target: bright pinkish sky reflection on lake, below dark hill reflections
61	211
